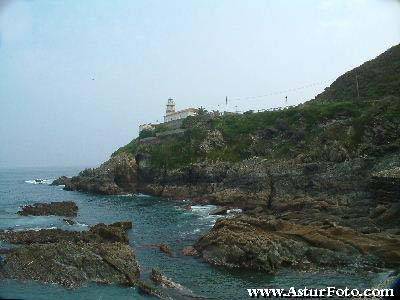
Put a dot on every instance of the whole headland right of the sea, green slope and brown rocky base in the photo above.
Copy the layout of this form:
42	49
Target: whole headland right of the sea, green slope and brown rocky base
318	184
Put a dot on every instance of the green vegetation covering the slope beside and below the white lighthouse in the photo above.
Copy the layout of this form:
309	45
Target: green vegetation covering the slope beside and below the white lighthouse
350	127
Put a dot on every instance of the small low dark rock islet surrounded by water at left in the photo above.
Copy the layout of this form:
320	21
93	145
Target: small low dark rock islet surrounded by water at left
65	208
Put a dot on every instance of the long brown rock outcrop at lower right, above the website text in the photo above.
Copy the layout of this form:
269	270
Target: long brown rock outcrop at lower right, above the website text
267	244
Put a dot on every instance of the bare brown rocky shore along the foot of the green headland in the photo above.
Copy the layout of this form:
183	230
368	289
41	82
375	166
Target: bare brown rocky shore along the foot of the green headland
296	214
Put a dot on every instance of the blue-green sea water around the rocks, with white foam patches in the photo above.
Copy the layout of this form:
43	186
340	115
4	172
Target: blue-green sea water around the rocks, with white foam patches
155	220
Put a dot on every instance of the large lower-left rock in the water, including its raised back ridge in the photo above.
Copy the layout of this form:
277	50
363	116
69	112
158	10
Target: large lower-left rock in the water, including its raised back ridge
100	255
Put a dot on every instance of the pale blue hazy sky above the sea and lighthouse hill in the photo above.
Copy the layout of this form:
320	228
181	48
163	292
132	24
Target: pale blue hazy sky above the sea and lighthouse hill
78	77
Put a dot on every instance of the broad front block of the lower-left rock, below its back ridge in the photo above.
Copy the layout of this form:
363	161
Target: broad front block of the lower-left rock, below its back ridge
72	264
